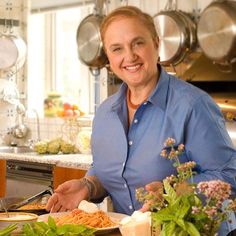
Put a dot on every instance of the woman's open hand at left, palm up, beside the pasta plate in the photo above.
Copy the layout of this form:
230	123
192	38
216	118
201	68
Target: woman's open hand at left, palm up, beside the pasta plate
68	196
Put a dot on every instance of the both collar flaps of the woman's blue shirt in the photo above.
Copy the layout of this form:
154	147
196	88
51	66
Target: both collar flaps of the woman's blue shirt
158	97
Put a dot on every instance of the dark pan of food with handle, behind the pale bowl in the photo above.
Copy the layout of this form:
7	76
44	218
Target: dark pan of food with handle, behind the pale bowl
33	204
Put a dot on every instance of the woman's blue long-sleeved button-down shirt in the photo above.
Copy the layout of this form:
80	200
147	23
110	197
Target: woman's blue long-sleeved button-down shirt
126	158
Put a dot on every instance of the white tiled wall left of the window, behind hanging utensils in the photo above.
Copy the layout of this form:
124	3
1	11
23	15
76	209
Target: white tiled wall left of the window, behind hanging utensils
12	10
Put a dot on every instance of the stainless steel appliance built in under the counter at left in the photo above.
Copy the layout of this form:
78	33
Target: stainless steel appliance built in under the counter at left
27	178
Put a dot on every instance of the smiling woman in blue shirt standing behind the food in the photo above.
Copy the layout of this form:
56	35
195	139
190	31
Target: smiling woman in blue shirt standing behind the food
130	127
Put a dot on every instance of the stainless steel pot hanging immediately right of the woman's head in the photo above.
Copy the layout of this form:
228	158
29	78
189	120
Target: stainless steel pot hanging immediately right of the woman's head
177	33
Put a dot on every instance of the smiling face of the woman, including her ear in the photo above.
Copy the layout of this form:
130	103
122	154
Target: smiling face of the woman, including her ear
131	51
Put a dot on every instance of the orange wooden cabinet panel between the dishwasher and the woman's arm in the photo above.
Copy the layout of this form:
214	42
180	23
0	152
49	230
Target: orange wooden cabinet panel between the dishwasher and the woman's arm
61	175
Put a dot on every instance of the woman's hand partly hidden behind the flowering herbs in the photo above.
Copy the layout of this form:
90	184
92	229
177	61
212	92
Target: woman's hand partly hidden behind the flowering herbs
156	189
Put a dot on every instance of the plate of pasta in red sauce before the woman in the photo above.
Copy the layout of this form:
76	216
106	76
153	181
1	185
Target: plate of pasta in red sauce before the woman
103	222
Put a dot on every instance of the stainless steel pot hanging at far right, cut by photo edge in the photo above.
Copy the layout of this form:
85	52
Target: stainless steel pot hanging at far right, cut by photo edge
216	32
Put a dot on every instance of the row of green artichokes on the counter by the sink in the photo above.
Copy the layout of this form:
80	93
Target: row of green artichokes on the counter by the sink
54	146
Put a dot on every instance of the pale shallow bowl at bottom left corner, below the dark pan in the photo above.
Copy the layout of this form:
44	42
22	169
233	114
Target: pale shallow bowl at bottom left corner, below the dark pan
16	217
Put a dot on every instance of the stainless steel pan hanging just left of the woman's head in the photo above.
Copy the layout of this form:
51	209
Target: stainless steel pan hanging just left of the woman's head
89	42
